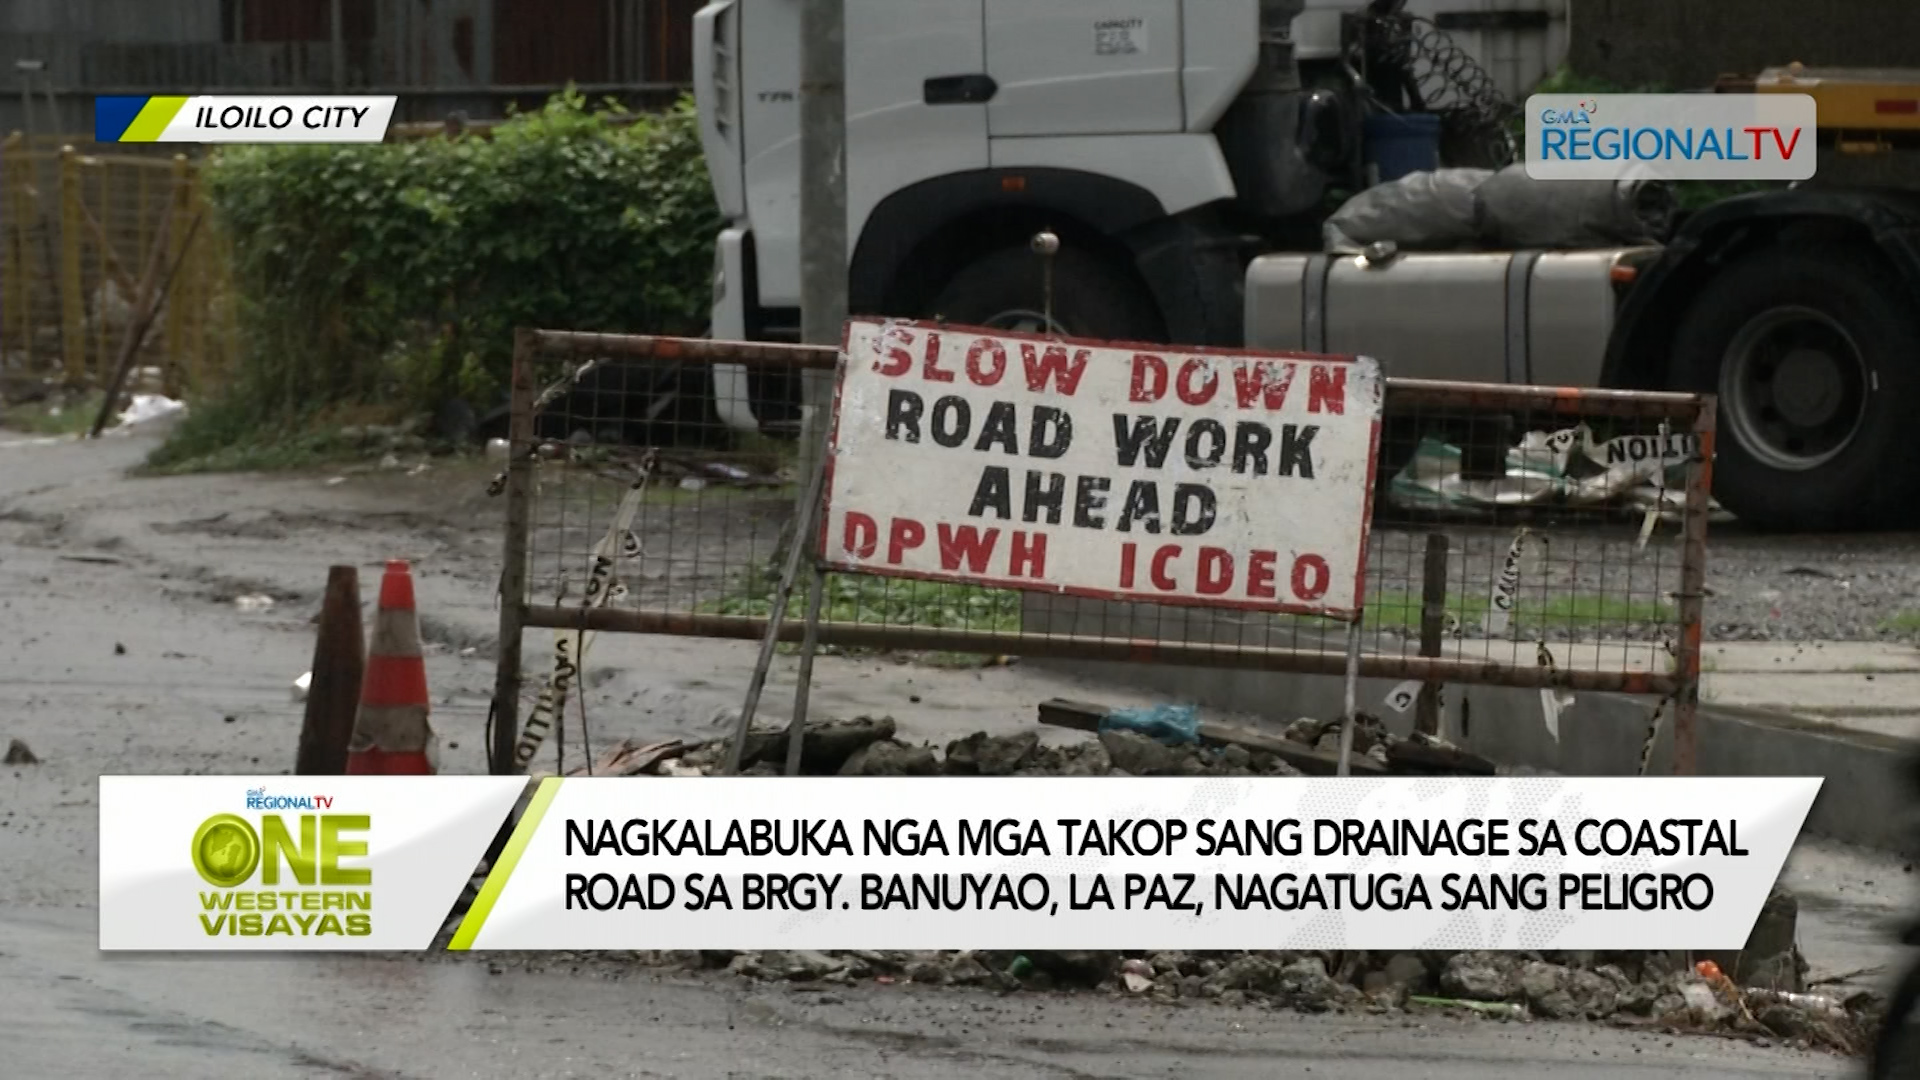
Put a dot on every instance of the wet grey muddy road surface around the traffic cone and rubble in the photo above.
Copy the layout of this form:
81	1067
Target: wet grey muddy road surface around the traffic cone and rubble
128	654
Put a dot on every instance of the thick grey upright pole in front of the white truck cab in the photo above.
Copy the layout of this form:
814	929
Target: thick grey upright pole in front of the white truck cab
823	212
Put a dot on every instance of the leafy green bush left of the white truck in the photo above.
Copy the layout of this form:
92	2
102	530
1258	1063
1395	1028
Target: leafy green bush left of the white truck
389	278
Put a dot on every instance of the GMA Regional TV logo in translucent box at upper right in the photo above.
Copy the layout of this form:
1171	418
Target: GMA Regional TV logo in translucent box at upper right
1671	137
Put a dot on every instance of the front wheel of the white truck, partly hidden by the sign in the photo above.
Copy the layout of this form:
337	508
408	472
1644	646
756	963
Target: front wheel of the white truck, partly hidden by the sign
1007	291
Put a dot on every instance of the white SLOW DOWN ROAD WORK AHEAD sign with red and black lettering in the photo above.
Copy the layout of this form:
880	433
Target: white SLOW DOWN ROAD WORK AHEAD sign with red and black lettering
1170	476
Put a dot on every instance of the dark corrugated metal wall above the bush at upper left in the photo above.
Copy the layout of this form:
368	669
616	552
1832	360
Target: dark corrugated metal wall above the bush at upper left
443	57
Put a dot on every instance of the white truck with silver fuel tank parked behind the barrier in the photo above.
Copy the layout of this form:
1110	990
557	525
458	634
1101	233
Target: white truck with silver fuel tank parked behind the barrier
1186	151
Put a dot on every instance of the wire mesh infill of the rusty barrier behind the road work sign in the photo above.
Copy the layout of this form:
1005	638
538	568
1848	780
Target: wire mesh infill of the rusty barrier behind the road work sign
1520	535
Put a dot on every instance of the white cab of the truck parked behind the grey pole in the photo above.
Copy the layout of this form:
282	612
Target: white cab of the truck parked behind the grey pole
1164	141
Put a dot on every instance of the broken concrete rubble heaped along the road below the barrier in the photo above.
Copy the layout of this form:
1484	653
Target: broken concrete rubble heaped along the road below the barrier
1660	991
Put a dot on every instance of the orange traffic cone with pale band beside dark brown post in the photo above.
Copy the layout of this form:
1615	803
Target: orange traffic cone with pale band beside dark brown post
391	735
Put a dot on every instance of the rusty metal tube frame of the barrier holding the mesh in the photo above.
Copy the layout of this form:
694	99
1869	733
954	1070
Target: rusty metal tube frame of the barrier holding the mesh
1687	412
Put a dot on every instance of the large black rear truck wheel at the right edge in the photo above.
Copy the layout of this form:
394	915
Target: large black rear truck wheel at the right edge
1815	358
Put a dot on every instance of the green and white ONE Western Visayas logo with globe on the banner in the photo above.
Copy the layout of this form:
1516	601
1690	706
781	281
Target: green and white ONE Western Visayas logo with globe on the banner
300	875
